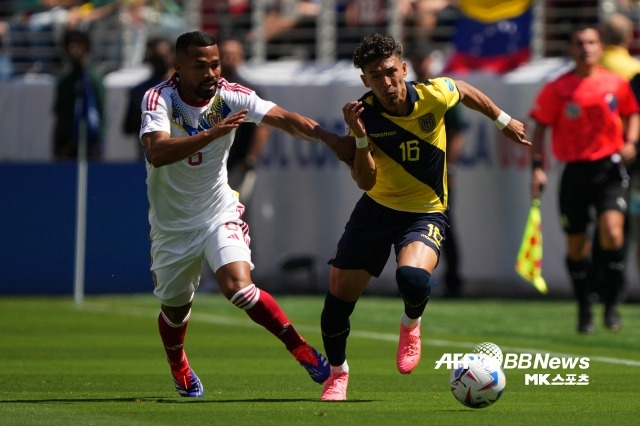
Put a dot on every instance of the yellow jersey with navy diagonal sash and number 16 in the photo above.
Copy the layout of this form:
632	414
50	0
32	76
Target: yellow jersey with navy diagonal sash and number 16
410	151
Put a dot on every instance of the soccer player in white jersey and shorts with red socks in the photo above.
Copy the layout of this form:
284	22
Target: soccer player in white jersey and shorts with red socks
188	125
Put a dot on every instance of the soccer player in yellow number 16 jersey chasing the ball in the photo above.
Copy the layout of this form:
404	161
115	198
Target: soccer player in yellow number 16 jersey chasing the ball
400	164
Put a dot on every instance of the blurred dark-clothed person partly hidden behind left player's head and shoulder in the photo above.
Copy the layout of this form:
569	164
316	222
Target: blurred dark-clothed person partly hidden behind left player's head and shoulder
160	55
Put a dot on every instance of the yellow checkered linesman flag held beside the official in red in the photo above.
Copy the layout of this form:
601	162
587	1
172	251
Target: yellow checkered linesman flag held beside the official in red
529	262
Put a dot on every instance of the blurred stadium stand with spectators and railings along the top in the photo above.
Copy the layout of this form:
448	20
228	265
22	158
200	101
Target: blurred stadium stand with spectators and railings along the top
271	29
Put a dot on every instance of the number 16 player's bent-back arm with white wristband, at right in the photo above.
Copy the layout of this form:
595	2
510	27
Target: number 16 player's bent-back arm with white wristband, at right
474	99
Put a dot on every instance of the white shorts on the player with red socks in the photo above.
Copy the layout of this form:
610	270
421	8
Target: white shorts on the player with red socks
176	259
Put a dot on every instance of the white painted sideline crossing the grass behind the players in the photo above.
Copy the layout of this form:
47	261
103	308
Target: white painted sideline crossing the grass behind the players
372	335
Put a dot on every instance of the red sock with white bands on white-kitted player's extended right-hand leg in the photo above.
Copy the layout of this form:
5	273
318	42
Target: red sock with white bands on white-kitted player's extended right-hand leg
264	310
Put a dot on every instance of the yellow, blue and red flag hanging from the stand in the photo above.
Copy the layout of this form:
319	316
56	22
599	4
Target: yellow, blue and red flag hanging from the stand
491	35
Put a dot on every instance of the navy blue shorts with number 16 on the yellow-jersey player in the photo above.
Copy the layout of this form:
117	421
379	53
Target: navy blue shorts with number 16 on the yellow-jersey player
373	228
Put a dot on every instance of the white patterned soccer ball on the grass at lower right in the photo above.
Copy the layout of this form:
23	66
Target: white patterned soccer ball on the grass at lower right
478	381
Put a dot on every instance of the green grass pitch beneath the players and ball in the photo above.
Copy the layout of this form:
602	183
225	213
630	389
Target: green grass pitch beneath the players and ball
103	364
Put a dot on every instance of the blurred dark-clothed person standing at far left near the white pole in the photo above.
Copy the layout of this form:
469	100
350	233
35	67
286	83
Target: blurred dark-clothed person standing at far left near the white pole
79	98
